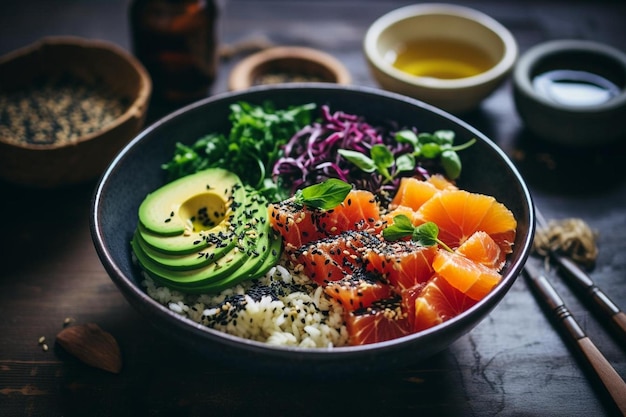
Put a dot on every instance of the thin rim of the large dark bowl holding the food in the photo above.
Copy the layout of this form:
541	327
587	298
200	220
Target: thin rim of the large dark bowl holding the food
133	291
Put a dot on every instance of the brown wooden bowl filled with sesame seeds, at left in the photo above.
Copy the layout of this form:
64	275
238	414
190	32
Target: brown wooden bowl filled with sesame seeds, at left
43	157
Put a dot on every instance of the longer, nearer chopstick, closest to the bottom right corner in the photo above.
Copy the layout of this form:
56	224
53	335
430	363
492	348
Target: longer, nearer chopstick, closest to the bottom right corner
609	377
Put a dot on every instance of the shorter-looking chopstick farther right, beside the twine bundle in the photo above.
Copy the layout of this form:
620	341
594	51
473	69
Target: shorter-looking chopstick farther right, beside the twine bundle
591	291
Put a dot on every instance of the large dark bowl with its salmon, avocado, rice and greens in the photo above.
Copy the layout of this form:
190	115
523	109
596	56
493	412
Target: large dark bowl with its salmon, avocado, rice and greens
317	334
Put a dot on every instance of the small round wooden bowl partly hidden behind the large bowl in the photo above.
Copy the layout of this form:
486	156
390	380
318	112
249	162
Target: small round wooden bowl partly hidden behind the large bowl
284	64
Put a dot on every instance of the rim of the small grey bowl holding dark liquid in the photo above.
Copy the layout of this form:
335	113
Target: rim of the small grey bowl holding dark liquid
537	54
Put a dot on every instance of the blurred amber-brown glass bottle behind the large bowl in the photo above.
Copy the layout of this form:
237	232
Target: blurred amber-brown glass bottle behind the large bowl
176	40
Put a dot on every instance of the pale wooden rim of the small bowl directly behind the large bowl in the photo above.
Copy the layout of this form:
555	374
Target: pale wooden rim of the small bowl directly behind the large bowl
240	76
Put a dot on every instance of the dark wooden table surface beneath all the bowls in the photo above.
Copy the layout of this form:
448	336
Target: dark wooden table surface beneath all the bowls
513	364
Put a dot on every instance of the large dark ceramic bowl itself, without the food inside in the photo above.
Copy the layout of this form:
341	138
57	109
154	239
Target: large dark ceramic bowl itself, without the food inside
137	171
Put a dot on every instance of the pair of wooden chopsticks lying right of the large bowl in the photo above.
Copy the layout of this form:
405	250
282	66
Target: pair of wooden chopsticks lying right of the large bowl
611	380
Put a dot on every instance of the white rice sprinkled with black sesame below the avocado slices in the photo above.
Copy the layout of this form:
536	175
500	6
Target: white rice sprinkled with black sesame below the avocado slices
281	308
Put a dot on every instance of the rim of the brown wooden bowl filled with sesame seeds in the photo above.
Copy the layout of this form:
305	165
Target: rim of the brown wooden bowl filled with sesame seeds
134	110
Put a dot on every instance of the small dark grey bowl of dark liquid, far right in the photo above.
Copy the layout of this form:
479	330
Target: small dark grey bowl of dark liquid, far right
592	116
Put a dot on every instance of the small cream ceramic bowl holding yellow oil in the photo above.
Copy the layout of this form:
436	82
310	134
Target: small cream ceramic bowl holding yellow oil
433	23
